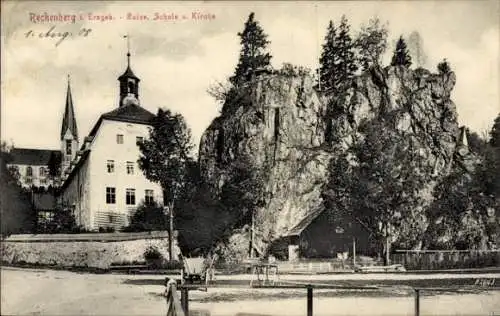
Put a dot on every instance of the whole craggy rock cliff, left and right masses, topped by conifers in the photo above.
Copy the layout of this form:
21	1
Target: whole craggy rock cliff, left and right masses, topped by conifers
279	121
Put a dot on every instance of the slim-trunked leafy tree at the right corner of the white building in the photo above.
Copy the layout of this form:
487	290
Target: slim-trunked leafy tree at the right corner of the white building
165	157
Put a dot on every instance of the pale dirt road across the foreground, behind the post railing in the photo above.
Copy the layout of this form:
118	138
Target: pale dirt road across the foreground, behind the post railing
48	292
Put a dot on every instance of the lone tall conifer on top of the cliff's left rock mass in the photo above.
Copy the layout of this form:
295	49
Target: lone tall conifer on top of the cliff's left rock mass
253	54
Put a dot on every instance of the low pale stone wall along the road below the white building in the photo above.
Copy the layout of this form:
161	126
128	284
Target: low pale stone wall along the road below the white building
84	250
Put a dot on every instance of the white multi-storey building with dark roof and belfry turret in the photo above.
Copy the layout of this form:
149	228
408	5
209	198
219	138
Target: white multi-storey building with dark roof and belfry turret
103	184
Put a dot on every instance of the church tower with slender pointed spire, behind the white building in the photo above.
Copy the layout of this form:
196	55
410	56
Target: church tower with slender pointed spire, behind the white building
69	132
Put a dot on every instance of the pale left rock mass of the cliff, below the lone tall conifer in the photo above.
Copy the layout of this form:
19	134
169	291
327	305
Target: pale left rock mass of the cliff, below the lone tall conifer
282	130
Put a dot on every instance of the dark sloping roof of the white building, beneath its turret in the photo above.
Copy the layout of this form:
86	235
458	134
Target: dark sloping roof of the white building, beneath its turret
130	113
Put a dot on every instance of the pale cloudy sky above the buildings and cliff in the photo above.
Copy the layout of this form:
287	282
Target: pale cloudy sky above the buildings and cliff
177	61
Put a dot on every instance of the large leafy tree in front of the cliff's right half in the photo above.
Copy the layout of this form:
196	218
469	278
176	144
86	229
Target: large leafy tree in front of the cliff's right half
382	184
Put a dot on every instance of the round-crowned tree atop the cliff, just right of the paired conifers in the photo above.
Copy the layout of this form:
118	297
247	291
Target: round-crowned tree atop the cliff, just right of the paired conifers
371	43
